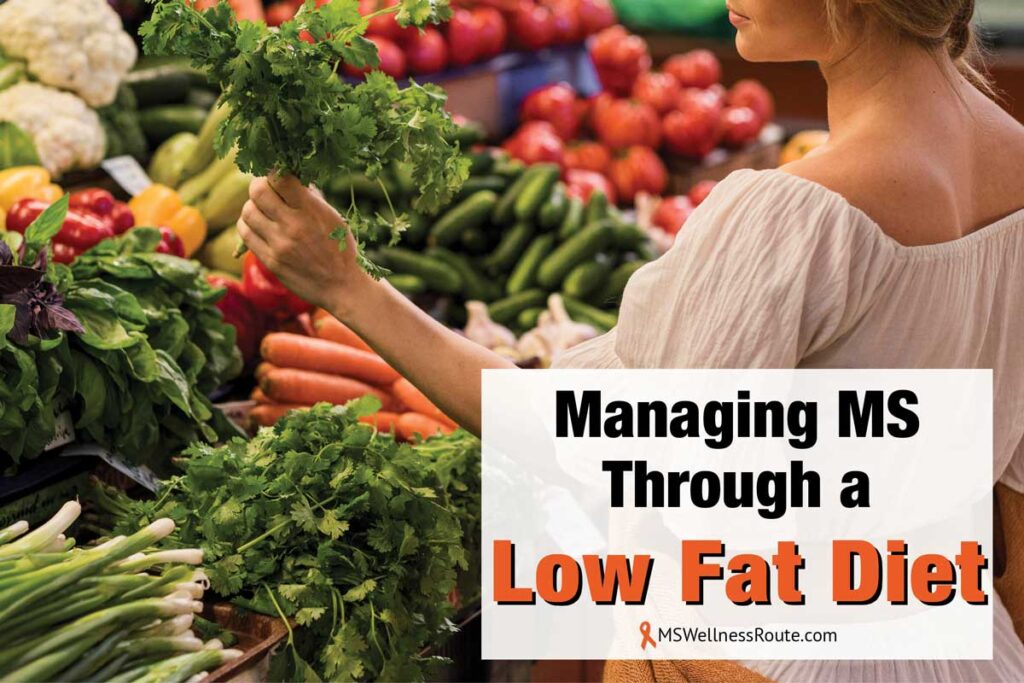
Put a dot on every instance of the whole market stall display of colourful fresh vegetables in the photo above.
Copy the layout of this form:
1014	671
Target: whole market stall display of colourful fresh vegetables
202	473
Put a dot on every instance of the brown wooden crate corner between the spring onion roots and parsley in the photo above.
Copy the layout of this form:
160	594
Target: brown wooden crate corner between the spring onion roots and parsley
259	635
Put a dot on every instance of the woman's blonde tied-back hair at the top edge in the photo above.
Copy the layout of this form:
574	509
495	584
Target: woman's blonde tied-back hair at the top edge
941	25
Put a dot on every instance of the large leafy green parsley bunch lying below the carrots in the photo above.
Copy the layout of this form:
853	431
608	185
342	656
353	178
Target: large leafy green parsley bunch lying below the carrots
321	520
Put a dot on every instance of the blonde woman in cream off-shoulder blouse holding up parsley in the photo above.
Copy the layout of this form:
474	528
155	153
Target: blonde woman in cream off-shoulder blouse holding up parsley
901	244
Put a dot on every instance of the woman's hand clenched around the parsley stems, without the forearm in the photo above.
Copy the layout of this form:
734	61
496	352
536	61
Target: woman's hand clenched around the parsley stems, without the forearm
289	227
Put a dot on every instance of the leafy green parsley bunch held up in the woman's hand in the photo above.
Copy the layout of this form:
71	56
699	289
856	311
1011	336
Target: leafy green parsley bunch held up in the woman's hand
290	112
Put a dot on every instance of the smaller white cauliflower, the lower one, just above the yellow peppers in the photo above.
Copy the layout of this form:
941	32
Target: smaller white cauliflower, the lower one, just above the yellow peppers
68	135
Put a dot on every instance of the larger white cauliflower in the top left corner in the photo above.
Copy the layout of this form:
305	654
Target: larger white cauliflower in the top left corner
77	46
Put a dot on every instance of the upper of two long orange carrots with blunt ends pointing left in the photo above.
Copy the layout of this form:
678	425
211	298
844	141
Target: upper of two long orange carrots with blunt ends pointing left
320	356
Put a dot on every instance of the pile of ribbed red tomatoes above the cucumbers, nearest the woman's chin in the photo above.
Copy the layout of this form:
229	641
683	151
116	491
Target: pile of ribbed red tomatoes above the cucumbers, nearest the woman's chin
611	142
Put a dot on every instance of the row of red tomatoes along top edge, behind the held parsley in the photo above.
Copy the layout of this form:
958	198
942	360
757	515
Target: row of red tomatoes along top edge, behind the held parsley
478	31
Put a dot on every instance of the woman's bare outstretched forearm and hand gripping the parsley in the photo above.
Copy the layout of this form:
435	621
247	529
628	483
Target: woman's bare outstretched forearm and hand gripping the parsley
288	228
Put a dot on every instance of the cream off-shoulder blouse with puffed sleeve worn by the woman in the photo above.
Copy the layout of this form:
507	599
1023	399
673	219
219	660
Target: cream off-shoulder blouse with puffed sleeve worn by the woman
774	271
